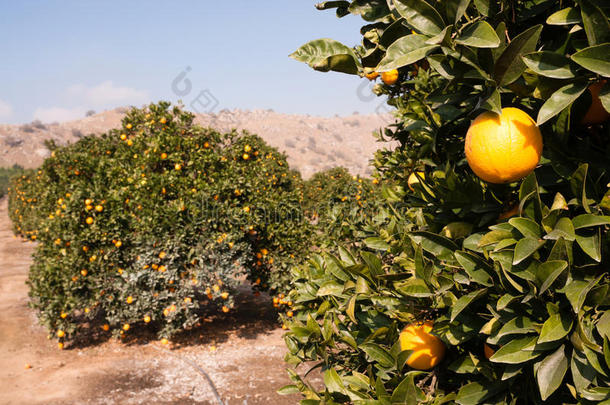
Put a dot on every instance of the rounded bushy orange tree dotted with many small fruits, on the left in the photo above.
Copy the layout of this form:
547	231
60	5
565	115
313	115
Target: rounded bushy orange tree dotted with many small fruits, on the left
156	222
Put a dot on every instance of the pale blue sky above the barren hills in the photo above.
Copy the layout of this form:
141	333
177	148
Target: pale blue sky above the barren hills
62	58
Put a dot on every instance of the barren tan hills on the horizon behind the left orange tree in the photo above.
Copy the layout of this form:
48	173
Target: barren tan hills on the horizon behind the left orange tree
311	143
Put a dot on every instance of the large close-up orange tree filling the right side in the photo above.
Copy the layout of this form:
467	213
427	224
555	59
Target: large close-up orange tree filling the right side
488	282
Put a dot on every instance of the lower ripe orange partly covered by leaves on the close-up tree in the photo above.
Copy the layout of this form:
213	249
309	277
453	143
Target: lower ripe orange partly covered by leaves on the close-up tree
428	350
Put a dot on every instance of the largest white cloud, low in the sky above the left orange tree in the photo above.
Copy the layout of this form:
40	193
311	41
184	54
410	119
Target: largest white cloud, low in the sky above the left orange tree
106	93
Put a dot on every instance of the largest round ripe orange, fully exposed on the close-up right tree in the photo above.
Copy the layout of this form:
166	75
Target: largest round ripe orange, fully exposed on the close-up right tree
503	148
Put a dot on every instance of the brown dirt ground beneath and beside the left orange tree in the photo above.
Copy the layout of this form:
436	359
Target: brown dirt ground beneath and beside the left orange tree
242	352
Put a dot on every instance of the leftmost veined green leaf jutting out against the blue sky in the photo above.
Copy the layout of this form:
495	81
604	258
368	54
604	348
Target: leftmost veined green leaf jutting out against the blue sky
326	55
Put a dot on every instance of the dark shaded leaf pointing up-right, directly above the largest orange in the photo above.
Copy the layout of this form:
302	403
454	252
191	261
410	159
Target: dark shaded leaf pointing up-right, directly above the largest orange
509	65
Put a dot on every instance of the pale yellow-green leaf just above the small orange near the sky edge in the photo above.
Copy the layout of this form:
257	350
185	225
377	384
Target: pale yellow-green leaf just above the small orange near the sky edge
405	51
